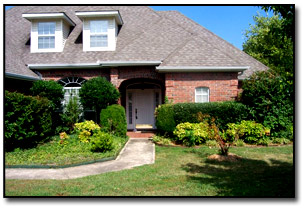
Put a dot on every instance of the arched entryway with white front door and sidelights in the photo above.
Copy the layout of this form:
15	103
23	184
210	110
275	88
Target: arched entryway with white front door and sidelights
140	97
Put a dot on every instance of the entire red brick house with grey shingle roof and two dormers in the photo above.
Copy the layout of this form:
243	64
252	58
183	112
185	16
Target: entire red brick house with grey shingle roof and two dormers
148	55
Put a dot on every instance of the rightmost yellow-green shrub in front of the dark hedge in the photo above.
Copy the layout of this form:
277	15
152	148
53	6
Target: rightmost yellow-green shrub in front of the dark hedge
249	131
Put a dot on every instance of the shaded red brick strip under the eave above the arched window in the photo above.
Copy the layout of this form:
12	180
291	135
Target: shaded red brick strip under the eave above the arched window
83	73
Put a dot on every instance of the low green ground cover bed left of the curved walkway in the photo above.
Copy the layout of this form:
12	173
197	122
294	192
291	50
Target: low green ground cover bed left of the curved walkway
55	154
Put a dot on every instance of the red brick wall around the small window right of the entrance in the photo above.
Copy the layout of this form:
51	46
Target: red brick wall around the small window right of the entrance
180	87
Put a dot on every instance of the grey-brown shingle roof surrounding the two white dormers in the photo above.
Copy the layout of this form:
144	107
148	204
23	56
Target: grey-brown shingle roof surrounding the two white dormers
146	35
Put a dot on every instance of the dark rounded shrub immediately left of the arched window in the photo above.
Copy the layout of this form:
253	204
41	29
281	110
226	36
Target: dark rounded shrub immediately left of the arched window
50	90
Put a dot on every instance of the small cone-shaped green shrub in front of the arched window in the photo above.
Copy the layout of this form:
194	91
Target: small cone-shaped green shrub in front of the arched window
72	113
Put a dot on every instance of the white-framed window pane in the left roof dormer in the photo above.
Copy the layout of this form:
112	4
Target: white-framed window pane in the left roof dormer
46	35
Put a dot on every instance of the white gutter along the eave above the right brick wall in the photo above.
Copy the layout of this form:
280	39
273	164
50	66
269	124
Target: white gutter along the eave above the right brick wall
165	69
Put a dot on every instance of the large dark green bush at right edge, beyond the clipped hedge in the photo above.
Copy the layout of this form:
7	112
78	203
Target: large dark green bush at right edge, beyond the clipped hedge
270	99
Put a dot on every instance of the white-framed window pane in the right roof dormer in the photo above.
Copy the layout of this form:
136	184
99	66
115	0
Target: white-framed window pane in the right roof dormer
98	33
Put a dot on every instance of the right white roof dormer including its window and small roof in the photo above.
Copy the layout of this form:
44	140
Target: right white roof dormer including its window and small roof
100	30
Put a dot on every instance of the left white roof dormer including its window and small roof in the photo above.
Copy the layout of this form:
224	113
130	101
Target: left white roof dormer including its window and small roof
49	31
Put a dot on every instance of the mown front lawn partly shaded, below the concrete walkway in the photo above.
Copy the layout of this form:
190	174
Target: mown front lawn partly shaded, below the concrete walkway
263	172
